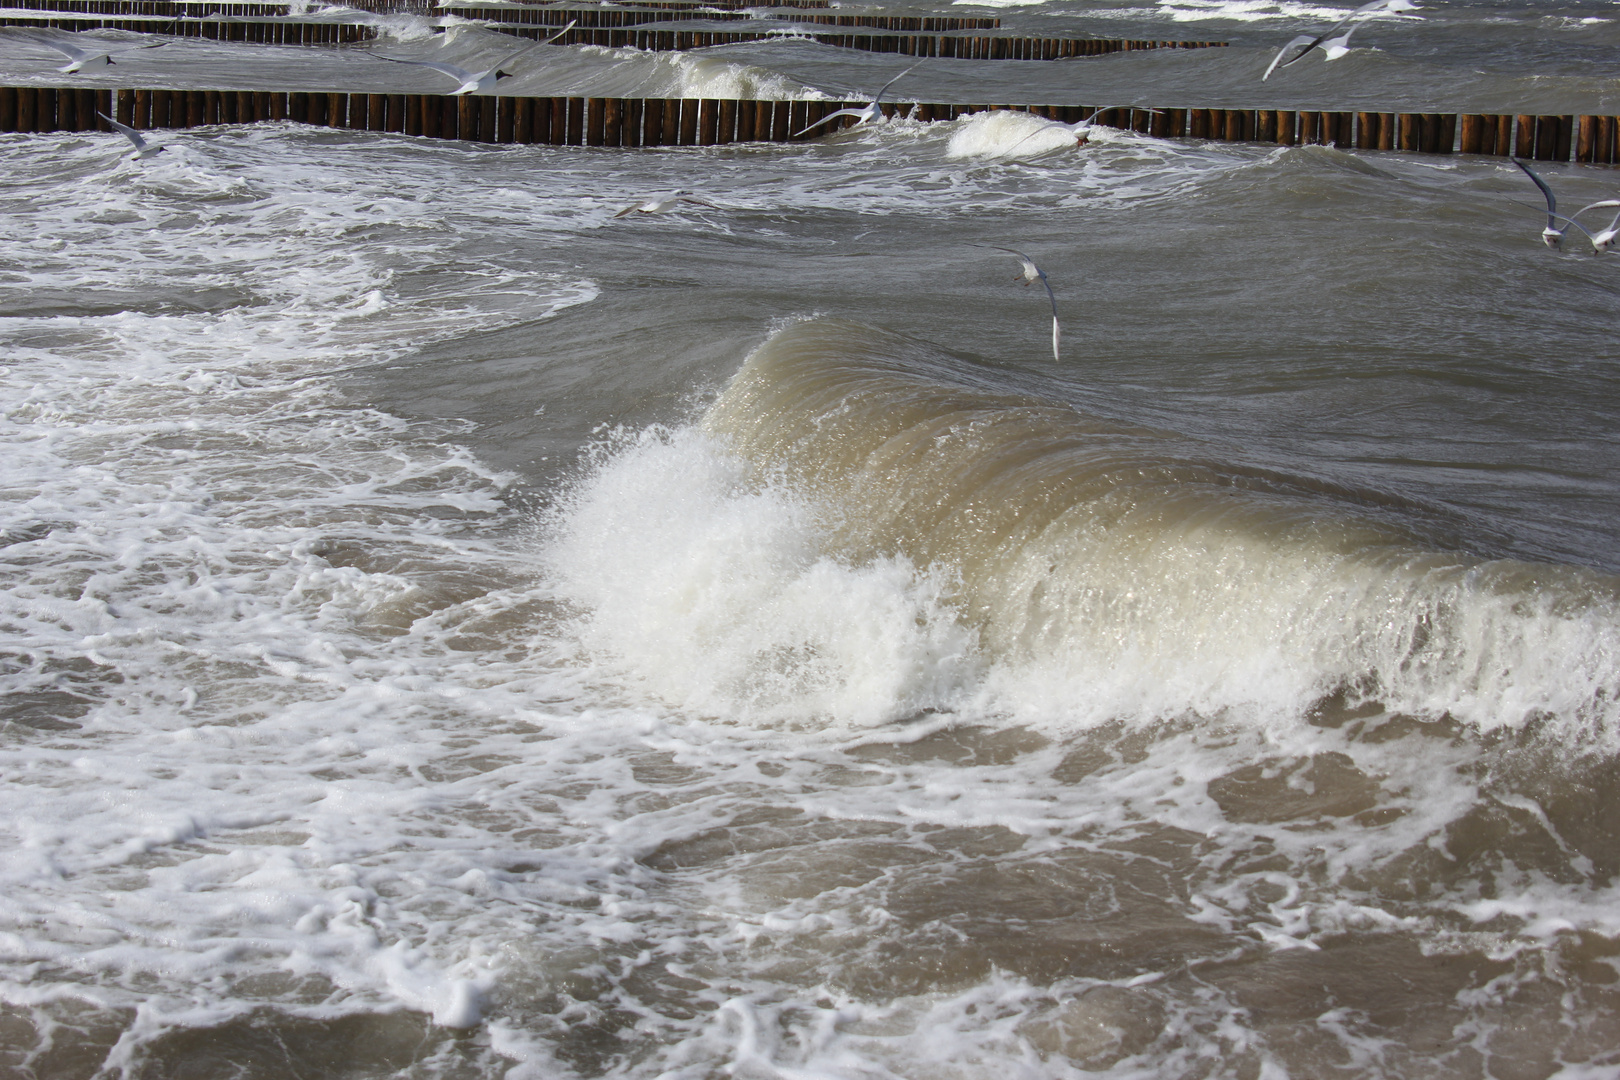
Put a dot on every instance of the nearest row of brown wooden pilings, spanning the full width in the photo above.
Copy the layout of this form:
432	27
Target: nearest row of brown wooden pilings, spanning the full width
718	122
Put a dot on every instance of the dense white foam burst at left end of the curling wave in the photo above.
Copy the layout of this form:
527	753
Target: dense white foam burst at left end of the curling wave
715	595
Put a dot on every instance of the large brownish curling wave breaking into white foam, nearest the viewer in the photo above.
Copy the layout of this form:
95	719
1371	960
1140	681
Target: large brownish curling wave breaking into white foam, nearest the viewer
1018	556
